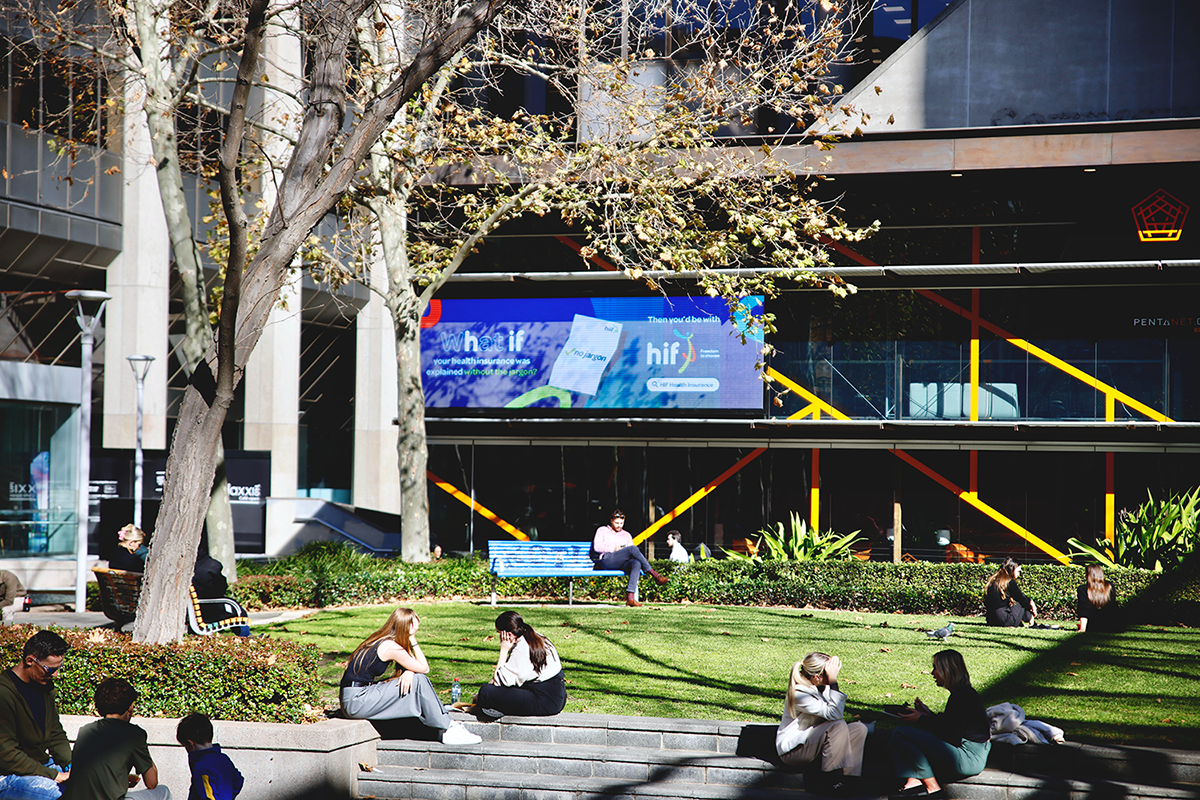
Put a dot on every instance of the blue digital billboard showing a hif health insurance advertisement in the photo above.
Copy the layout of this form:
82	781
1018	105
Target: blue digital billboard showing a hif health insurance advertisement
590	353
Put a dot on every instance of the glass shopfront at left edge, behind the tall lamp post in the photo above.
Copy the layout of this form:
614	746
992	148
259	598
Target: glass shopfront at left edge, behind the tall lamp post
39	476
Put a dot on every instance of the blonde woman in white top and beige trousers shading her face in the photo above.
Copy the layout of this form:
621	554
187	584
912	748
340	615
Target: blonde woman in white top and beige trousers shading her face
814	732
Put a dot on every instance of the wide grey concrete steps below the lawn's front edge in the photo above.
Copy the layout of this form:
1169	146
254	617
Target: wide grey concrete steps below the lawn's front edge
580	757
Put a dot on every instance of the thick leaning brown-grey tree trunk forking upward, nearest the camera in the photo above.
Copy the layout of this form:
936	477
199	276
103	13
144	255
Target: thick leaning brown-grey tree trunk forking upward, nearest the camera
309	190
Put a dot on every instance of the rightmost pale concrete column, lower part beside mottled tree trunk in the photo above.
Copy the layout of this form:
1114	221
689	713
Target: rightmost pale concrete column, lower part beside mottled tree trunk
376	462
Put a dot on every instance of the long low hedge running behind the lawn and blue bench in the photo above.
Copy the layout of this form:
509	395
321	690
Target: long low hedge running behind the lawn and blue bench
913	588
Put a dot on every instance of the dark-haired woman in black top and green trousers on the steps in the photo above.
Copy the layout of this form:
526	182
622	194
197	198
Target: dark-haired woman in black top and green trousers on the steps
947	747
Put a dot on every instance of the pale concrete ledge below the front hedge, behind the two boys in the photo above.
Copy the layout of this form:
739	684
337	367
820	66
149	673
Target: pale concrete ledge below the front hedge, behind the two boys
279	761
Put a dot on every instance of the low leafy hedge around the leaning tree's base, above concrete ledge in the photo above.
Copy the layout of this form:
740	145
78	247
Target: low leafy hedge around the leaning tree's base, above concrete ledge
226	677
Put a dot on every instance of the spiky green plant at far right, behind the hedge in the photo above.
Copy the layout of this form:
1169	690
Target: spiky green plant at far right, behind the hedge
1157	536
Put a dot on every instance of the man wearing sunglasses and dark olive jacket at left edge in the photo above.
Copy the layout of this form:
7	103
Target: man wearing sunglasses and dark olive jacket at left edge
35	755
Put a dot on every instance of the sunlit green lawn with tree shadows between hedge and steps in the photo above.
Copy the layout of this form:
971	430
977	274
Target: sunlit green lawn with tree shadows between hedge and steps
699	661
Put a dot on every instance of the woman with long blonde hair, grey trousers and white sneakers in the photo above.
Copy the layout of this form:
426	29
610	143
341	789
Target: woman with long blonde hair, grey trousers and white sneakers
410	694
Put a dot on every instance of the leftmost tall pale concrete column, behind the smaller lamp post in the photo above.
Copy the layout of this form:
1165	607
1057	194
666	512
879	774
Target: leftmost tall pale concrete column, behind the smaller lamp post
136	321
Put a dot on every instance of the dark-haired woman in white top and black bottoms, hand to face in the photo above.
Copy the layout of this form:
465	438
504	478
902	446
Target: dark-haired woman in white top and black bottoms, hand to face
529	678
